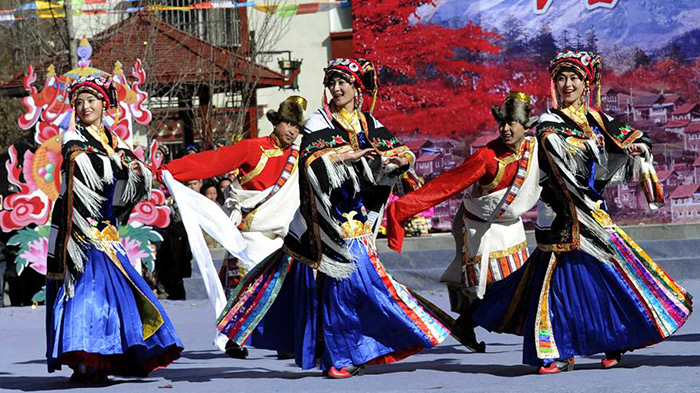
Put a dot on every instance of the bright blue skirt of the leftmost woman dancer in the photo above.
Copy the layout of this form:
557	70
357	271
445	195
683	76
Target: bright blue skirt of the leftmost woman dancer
101	325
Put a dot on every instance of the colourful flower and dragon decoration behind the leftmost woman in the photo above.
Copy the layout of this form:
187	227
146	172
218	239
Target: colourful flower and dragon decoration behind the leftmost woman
48	112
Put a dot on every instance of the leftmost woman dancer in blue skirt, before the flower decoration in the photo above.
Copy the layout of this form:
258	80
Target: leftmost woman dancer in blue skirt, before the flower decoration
102	318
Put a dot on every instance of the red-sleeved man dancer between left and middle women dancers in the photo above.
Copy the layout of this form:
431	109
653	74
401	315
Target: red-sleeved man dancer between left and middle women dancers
264	196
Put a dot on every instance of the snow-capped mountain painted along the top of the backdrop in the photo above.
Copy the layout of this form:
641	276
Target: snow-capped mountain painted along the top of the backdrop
648	24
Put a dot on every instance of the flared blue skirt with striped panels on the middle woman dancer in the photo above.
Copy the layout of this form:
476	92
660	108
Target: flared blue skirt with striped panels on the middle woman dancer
365	318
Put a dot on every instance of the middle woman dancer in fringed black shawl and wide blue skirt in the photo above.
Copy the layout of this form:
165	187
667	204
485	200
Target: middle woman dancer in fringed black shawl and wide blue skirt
352	312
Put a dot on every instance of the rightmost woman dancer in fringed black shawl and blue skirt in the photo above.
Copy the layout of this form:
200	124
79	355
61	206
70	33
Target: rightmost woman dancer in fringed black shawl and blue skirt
588	288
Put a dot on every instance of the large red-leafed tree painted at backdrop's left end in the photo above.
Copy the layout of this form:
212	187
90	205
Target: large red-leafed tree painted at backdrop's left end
435	79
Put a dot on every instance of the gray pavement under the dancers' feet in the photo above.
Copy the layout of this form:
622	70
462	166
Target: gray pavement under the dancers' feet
671	366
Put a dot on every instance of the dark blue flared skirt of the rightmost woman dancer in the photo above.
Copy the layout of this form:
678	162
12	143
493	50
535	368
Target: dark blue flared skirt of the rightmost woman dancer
589	307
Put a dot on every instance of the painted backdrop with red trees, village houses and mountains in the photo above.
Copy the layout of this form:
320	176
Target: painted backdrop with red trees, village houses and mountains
444	63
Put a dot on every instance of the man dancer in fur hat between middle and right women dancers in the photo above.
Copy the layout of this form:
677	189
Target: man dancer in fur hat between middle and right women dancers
501	182
